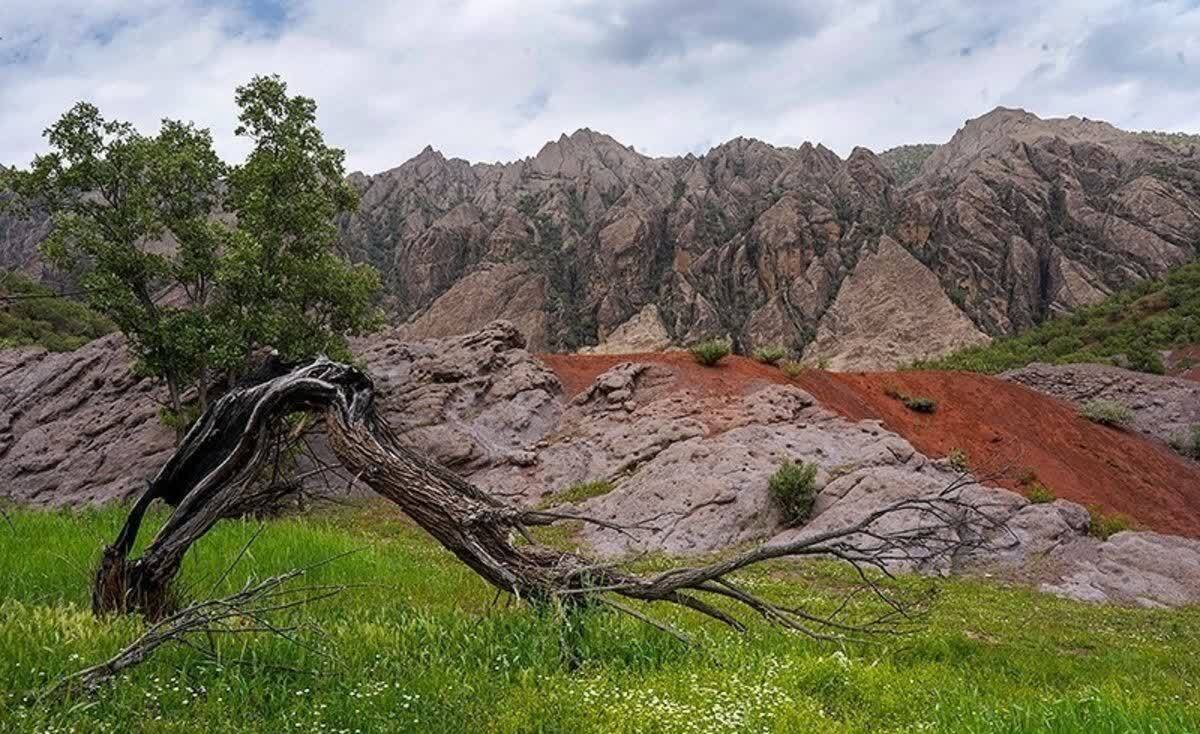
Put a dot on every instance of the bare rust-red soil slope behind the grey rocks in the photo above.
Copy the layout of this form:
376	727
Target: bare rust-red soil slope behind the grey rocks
999	425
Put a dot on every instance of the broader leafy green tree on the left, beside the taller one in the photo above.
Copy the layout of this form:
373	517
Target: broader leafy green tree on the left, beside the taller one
131	215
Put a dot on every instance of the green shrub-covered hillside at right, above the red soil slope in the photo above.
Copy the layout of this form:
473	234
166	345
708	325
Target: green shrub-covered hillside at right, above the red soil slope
1127	329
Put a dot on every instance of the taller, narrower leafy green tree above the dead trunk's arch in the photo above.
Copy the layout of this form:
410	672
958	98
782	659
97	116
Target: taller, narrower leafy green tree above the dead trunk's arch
296	293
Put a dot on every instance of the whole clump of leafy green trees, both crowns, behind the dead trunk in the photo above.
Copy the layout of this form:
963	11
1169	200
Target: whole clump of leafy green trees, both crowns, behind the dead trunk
197	294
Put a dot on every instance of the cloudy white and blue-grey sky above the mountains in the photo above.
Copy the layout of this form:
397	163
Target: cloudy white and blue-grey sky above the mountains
495	80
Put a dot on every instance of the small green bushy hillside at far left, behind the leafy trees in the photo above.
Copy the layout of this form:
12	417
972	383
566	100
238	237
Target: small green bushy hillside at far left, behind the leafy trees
33	315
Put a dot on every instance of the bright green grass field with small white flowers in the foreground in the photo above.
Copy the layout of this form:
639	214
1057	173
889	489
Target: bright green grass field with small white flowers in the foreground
418	647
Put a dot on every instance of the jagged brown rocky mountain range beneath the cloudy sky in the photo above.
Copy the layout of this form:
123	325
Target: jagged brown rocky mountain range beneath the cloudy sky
593	245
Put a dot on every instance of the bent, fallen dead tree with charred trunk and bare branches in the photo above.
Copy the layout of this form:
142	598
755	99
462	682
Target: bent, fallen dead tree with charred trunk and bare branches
207	480
